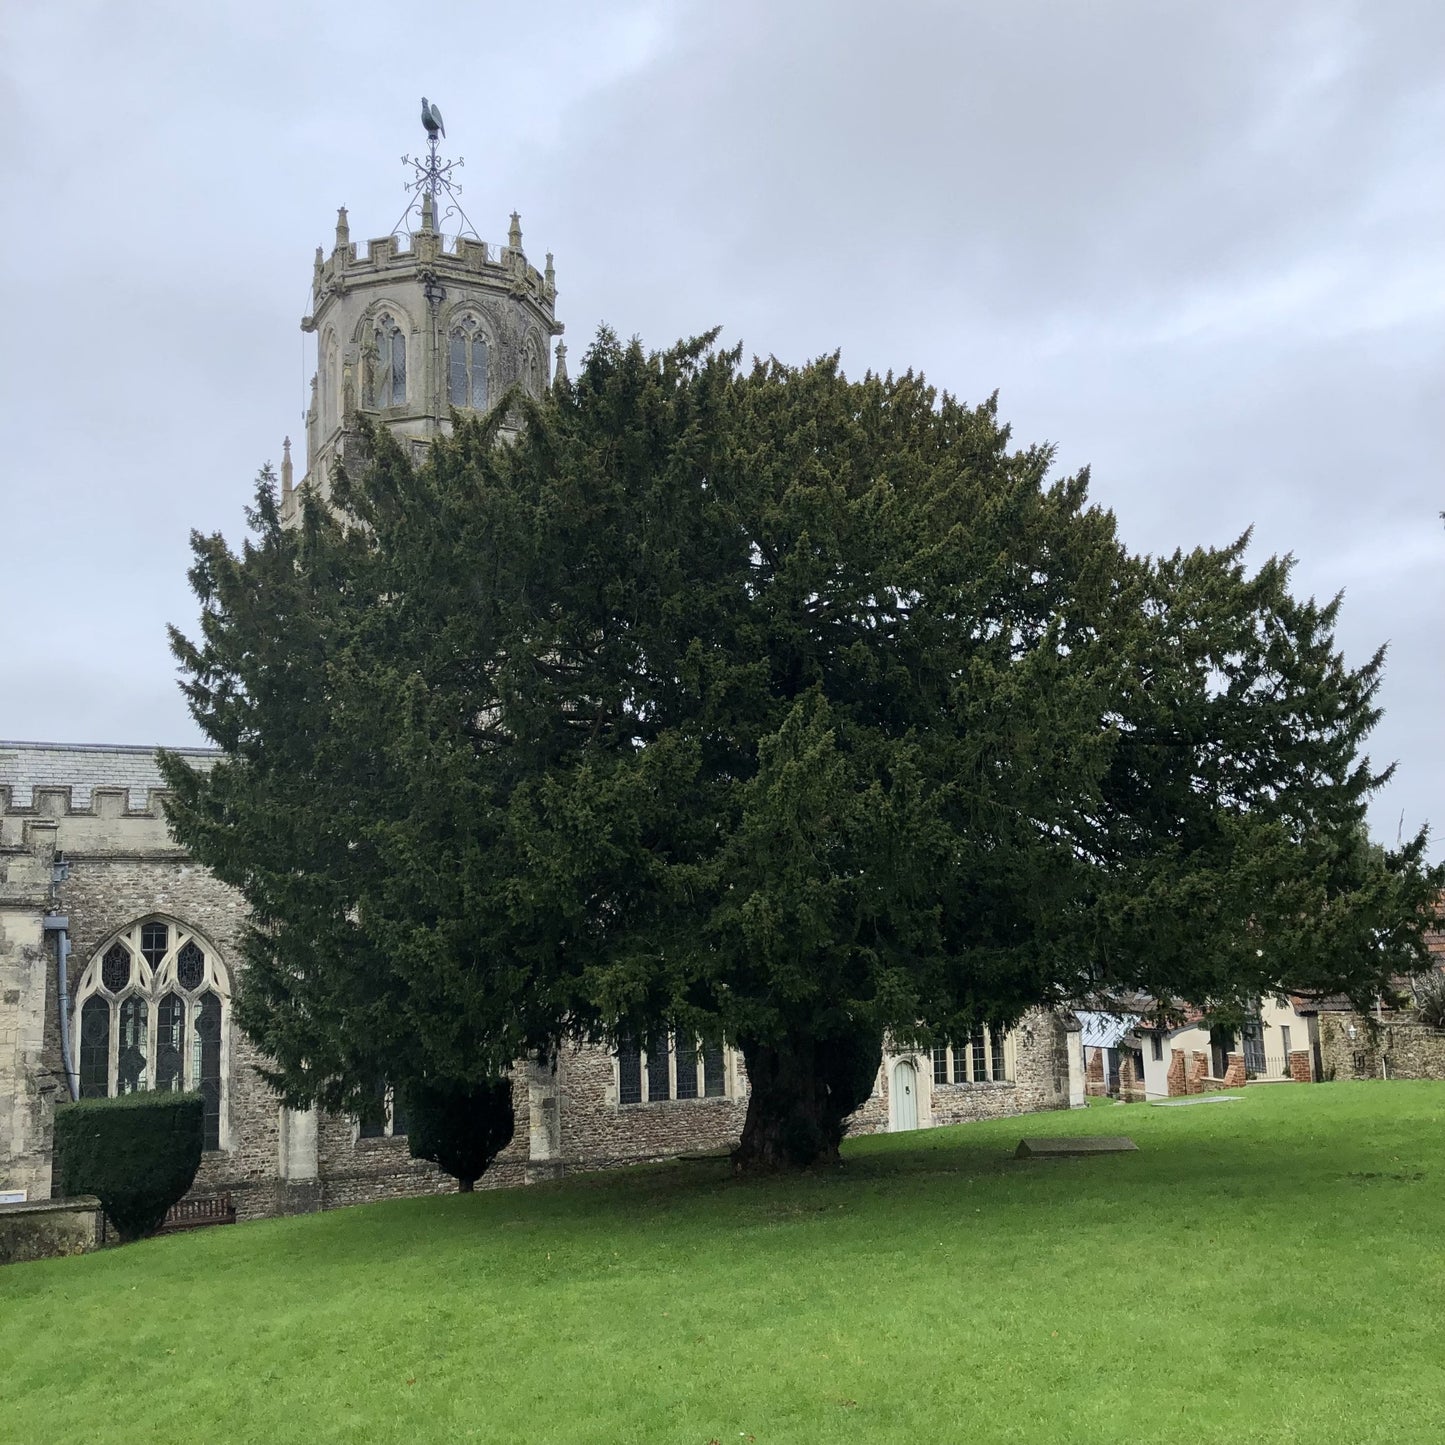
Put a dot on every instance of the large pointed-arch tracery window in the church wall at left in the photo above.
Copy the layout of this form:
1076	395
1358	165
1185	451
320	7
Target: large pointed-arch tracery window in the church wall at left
151	1014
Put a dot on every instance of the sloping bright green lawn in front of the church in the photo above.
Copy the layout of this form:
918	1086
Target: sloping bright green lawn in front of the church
1264	1271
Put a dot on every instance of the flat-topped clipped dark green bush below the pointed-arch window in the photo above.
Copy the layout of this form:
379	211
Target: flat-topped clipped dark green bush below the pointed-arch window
138	1154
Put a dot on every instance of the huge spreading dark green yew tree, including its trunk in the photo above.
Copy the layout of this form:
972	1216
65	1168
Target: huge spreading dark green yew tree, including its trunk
761	707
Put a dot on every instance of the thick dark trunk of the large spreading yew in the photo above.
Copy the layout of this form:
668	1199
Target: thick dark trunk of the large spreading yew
801	1093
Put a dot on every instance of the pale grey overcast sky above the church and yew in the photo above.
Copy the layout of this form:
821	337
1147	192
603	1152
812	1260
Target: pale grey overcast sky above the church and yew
1200	246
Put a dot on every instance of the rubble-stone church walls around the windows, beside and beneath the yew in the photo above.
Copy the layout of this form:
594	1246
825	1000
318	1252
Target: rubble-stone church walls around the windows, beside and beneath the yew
122	866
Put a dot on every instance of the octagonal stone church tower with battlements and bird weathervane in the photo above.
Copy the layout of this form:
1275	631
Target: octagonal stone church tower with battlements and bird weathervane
423	324
